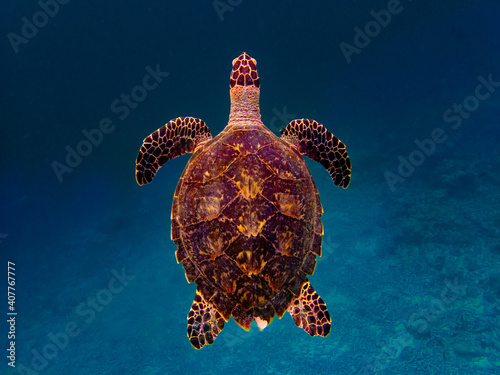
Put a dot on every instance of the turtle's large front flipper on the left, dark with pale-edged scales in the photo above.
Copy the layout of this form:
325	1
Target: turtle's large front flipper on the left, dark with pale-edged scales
178	137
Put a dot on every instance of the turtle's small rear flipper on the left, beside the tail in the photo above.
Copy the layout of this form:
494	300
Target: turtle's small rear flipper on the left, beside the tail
204	322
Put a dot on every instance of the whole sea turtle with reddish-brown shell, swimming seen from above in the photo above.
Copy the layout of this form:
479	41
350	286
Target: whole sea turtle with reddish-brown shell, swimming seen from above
246	214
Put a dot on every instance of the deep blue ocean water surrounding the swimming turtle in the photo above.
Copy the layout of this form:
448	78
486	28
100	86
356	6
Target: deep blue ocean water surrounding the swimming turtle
410	269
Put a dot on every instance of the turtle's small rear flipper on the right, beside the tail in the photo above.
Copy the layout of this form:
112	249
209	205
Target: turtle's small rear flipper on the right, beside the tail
309	312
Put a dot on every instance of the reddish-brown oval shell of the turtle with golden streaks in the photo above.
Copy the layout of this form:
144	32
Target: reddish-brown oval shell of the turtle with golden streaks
246	219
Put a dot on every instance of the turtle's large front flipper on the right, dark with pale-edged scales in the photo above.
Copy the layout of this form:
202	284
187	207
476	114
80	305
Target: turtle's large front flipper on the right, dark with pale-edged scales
312	139
